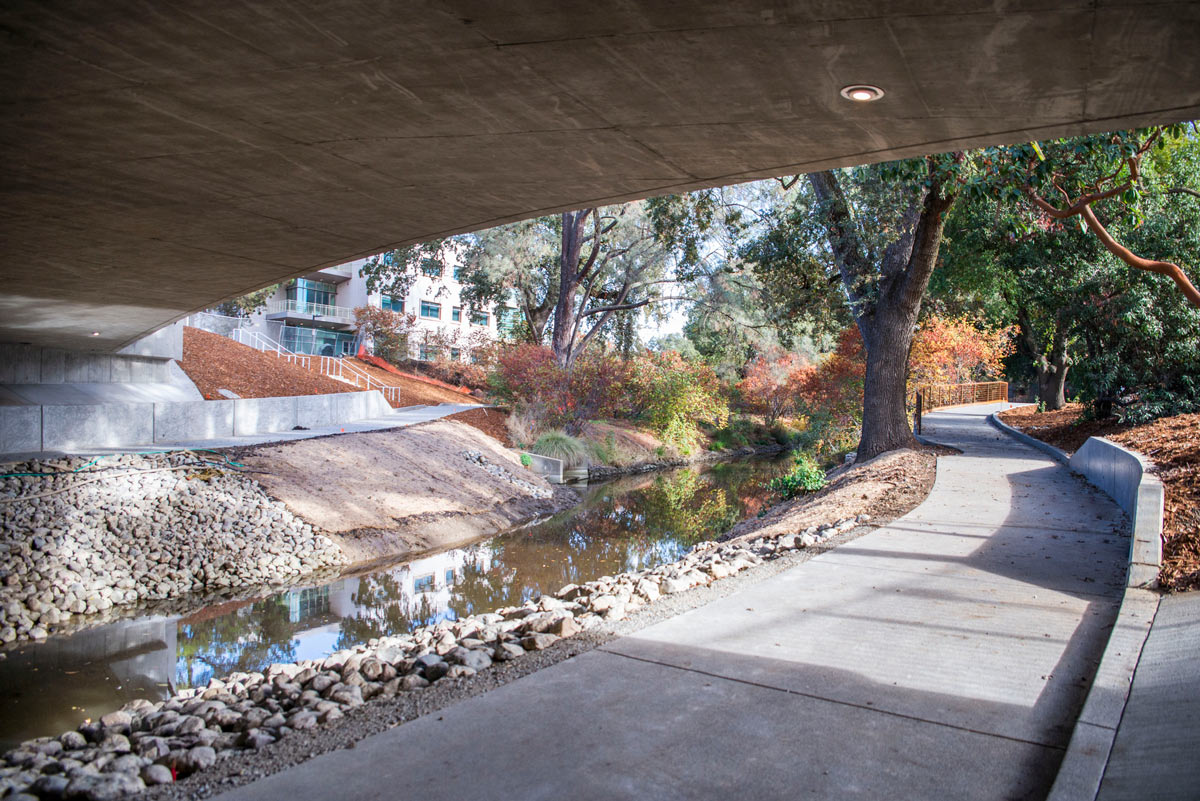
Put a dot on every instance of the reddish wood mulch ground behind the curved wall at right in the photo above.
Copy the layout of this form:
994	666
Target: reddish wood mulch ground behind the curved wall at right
1173	444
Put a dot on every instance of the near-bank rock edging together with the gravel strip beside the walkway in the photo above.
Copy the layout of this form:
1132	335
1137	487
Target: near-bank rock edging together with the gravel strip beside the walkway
245	726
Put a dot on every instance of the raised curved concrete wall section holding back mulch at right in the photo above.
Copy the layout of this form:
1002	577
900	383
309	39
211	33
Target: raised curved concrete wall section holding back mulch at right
1126	478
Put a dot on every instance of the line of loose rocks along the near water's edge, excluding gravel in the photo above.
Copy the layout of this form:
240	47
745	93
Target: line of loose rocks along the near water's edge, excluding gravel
153	743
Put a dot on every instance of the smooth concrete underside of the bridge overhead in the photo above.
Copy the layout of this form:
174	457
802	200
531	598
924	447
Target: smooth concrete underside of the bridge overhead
160	156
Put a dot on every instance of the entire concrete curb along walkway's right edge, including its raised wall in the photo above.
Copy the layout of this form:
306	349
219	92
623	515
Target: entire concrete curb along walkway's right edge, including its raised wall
1125	477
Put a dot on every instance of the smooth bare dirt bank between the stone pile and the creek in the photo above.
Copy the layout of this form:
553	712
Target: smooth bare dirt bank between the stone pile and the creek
405	491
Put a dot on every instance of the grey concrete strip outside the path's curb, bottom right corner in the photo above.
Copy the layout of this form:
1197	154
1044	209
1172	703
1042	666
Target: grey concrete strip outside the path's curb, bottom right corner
1157	749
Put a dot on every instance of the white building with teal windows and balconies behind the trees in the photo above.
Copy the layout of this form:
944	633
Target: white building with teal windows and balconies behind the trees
315	315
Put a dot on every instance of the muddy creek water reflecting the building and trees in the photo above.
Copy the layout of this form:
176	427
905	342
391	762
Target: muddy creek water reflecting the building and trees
625	525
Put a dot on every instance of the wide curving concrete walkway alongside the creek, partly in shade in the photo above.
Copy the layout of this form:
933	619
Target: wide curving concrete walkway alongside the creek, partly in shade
945	657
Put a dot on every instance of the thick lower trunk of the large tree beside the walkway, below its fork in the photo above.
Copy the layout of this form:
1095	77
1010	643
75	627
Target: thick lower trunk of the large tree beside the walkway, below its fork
885	392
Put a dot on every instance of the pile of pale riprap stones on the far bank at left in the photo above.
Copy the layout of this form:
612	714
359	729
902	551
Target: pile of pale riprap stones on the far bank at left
98	534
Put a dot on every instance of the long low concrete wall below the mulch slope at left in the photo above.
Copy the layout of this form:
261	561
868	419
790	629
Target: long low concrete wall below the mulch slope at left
53	429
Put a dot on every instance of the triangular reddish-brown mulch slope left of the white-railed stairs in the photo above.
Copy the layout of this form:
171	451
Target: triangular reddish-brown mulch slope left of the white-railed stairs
215	363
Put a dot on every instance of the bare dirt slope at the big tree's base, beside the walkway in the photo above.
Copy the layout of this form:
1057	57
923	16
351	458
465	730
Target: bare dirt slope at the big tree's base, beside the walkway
886	487
